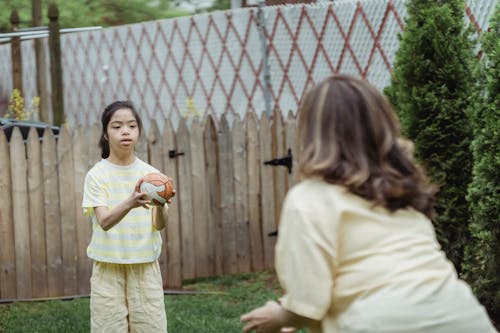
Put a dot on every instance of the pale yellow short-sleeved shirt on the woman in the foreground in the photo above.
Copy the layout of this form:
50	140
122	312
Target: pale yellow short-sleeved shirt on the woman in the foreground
359	268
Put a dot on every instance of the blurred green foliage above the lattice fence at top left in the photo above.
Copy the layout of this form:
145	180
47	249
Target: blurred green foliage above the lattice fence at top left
77	13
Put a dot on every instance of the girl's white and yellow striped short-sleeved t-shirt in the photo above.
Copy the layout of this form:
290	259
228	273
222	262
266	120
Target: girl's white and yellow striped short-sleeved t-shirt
133	239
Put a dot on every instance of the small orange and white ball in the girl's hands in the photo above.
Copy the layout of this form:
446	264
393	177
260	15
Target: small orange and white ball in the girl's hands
158	187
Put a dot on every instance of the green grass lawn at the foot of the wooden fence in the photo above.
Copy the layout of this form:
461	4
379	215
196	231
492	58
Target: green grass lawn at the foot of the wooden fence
216	308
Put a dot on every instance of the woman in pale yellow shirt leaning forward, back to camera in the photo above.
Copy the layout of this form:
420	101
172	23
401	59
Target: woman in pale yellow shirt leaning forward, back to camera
356	250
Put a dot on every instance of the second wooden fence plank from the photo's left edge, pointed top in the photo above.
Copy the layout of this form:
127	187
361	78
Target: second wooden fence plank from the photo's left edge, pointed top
20	208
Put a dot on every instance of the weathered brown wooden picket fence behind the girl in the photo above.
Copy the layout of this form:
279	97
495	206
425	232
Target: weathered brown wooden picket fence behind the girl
227	202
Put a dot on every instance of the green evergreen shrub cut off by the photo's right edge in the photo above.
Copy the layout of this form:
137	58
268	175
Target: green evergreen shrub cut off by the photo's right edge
482	265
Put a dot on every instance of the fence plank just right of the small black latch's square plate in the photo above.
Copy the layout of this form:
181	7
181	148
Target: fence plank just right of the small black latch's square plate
185	203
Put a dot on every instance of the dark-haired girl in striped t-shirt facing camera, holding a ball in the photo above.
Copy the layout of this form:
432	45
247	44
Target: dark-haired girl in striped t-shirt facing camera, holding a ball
126	283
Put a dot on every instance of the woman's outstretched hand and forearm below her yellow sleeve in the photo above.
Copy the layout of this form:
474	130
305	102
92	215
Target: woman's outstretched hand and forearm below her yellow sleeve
270	318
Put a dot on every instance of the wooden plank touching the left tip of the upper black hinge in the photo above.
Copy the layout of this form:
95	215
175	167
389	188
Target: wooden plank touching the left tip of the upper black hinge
267	192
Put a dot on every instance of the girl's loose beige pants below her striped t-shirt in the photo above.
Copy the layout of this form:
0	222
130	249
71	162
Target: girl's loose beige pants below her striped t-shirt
127	298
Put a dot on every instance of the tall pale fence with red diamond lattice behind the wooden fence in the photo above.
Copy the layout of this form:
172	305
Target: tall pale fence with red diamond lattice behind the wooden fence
213	64
